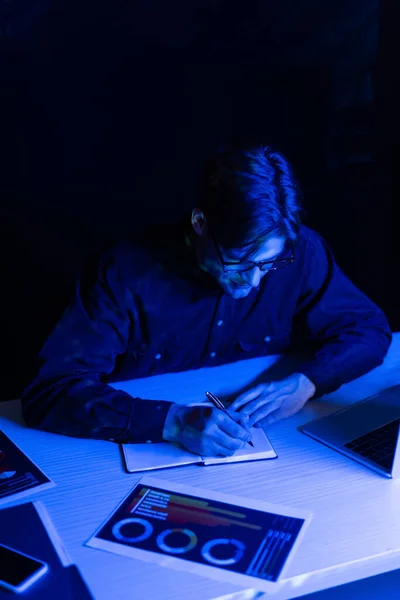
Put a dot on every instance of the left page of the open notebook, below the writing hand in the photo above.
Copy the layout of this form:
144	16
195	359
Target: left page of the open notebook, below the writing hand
146	457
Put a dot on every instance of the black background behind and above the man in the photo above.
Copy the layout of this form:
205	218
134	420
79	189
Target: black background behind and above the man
108	109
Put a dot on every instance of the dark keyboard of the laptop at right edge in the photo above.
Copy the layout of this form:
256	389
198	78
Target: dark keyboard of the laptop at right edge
379	445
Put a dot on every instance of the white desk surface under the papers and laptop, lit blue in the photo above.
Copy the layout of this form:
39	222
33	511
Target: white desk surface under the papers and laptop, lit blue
355	531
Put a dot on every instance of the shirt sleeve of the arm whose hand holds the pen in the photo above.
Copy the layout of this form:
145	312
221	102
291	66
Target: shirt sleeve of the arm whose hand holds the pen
69	395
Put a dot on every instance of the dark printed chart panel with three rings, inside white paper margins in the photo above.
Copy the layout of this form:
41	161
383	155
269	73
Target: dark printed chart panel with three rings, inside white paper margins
236	538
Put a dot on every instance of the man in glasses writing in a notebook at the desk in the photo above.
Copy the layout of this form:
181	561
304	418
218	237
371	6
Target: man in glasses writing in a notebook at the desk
242	278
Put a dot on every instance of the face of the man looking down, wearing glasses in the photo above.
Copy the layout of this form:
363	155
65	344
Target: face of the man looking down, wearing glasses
239	284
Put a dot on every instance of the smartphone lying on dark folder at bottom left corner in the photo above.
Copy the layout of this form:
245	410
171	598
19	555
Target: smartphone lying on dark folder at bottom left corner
18	571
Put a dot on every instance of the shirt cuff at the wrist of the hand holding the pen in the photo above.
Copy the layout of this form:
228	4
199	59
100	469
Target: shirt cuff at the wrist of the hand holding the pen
146	423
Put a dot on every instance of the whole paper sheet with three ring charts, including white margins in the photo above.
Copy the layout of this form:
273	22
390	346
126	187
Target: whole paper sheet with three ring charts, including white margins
238	540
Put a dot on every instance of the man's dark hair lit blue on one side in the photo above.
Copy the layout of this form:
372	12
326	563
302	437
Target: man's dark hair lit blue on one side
249	194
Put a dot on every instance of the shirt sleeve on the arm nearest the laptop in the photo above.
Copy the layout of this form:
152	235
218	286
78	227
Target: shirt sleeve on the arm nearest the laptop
349	334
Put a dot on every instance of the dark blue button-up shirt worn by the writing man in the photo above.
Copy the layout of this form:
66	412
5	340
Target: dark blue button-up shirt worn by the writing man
146	308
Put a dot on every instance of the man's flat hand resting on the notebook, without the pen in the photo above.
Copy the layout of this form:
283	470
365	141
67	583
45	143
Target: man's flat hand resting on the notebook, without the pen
270	402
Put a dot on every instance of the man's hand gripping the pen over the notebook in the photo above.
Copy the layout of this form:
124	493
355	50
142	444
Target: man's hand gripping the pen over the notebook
206	431
